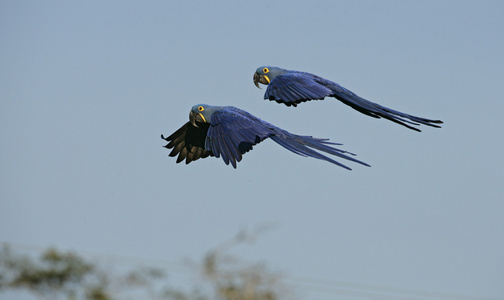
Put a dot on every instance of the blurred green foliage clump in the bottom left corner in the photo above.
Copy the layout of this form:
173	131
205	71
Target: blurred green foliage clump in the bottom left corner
59	275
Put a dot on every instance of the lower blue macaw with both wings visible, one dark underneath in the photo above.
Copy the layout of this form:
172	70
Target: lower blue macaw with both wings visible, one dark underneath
229	132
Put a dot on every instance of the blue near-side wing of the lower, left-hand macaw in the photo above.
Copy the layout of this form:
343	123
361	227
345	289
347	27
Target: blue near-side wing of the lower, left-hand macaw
233	133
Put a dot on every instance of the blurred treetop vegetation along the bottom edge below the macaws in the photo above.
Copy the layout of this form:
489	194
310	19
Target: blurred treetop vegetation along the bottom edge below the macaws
66	275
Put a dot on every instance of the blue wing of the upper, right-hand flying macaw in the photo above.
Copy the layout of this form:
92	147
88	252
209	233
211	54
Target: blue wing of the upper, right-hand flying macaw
296	87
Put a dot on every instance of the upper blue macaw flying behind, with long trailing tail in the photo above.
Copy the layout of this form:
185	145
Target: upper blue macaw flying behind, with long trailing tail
293	87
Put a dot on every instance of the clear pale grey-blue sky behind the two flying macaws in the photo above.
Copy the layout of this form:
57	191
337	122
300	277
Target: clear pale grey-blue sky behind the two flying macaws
87	87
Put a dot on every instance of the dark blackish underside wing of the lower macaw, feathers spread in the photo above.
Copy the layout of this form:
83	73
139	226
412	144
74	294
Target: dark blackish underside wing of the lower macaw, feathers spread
188	142
